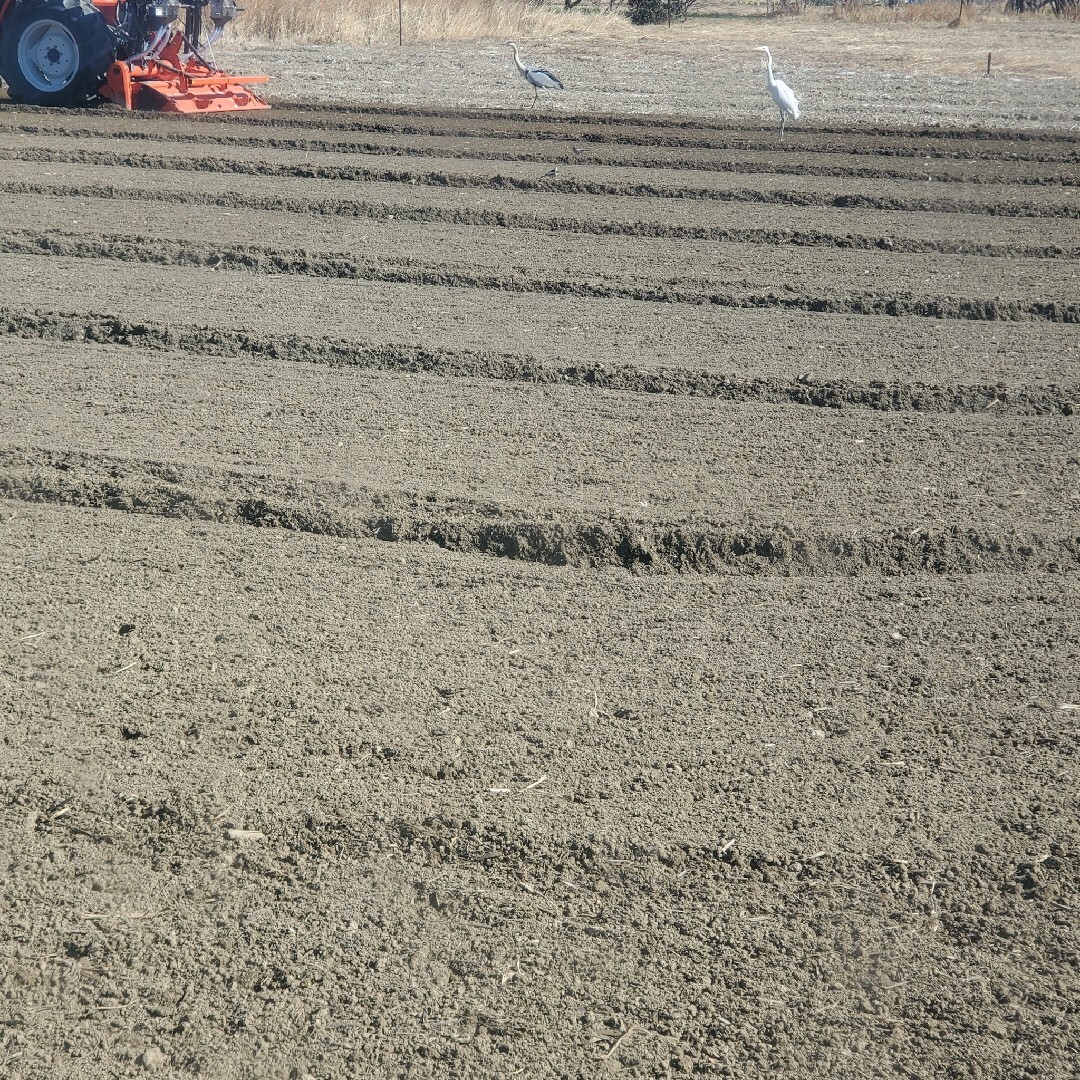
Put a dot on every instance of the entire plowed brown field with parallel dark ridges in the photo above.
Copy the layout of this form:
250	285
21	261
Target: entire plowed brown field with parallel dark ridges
460	620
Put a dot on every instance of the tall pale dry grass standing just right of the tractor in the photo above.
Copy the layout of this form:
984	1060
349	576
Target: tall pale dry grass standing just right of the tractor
375	22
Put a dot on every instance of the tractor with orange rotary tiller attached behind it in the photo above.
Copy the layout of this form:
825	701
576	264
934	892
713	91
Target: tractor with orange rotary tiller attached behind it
138	55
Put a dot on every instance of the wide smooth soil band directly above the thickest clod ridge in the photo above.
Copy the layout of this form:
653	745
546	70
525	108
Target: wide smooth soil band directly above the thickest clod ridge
552	452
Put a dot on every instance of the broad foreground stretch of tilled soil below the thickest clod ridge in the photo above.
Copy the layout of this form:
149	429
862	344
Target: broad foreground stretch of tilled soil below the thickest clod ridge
376	881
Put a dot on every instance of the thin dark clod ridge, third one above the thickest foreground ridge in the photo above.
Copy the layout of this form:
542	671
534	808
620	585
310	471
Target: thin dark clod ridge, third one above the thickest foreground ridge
511	220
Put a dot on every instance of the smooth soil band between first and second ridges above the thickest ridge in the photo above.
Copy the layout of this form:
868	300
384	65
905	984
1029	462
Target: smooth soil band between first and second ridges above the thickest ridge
741	345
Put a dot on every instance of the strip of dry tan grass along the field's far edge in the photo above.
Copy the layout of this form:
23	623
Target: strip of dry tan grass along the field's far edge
906	39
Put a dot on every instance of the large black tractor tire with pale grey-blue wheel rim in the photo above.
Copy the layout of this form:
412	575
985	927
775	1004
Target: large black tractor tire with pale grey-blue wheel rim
56	52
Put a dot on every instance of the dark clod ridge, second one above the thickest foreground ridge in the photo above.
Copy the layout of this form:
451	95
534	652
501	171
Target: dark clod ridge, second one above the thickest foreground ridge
268	261
